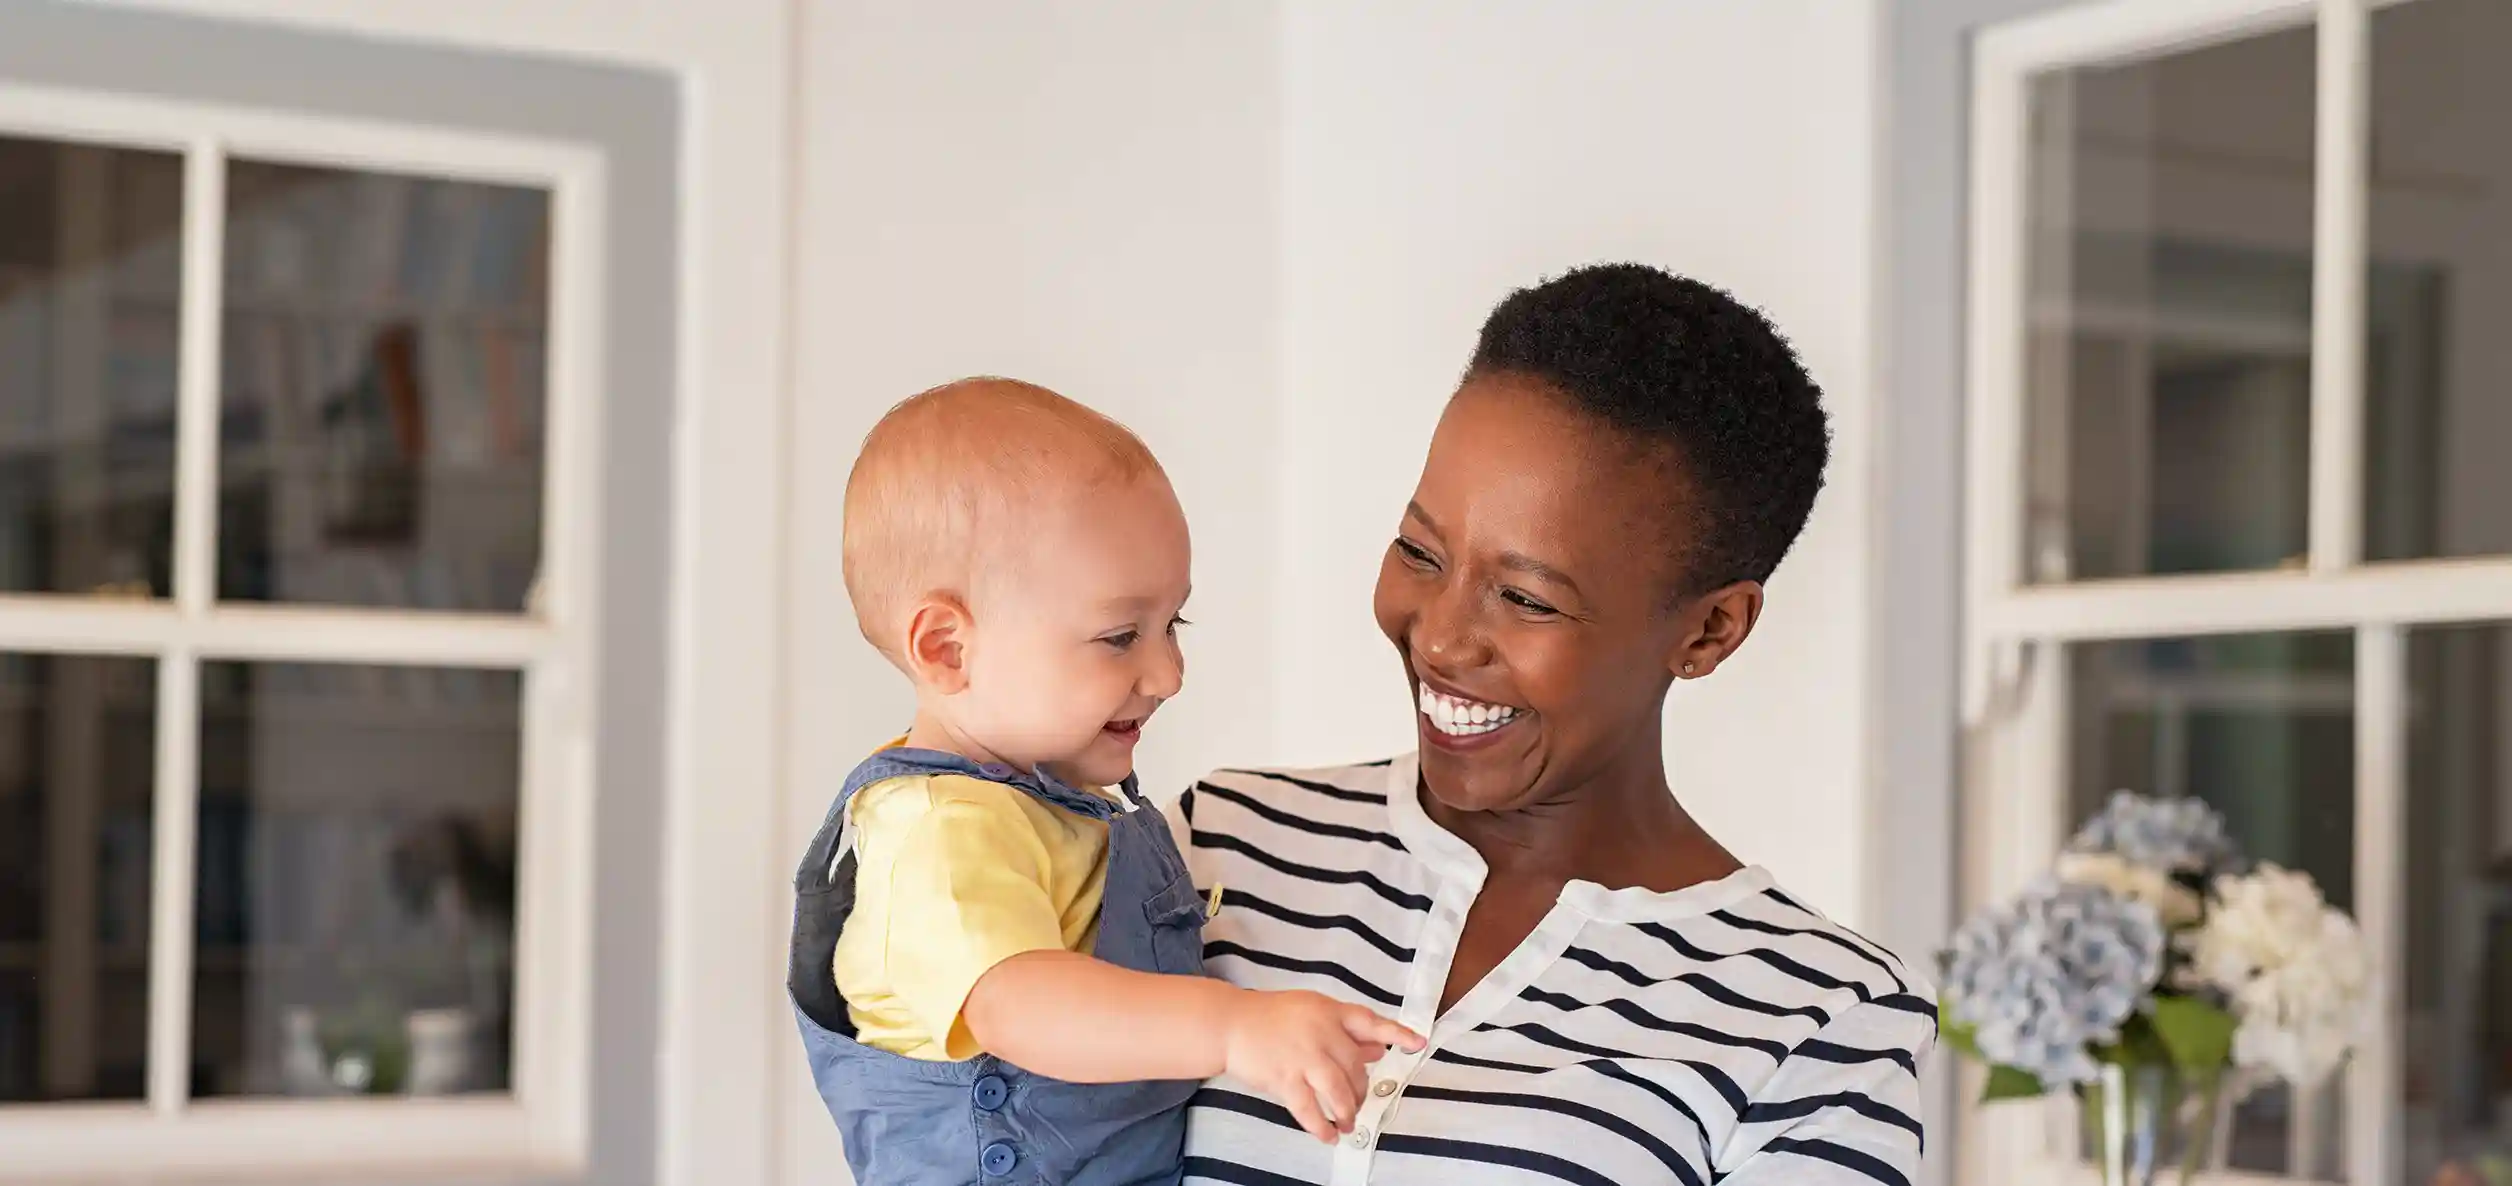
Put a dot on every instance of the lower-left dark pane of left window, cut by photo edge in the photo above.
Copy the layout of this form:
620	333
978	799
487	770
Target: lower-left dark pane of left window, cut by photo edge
77	773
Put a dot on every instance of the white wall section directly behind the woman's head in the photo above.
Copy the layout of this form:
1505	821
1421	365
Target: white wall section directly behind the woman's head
1441	155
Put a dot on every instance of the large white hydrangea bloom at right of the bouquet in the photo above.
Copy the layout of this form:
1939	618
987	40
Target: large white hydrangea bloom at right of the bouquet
2292	966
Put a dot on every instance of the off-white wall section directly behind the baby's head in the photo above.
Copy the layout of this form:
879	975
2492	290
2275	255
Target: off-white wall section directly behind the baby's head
1074	195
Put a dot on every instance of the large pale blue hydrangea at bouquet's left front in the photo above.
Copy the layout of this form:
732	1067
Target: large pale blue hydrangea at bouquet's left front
2054	974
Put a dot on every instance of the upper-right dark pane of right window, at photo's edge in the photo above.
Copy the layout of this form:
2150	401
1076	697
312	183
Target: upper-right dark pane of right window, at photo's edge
2438	363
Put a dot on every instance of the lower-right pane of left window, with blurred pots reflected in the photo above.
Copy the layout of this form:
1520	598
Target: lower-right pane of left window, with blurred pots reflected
358	878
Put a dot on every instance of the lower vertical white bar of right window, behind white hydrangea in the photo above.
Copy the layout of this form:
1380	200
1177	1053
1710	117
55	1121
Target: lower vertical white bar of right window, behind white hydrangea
2375	1082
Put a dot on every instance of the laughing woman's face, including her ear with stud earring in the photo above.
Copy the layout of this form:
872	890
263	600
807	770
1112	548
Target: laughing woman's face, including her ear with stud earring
1531	594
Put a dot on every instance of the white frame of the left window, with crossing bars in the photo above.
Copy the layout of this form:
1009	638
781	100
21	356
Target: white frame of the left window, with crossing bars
541	1124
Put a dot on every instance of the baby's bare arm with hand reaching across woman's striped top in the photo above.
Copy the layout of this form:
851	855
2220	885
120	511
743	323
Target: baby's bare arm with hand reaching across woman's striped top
1089	1021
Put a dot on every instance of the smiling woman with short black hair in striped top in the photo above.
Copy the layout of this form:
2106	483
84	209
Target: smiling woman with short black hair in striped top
1609	994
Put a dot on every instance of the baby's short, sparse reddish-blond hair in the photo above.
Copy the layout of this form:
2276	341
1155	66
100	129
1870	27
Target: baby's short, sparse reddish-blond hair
943	481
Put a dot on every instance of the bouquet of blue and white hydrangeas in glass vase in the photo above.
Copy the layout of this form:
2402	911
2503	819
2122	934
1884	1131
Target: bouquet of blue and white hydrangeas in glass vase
2147	974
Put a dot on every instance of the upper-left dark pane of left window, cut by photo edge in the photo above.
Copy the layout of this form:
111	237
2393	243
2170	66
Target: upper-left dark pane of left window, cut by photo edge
89	280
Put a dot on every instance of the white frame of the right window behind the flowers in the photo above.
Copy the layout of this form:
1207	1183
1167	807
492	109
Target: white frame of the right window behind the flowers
2016	634
